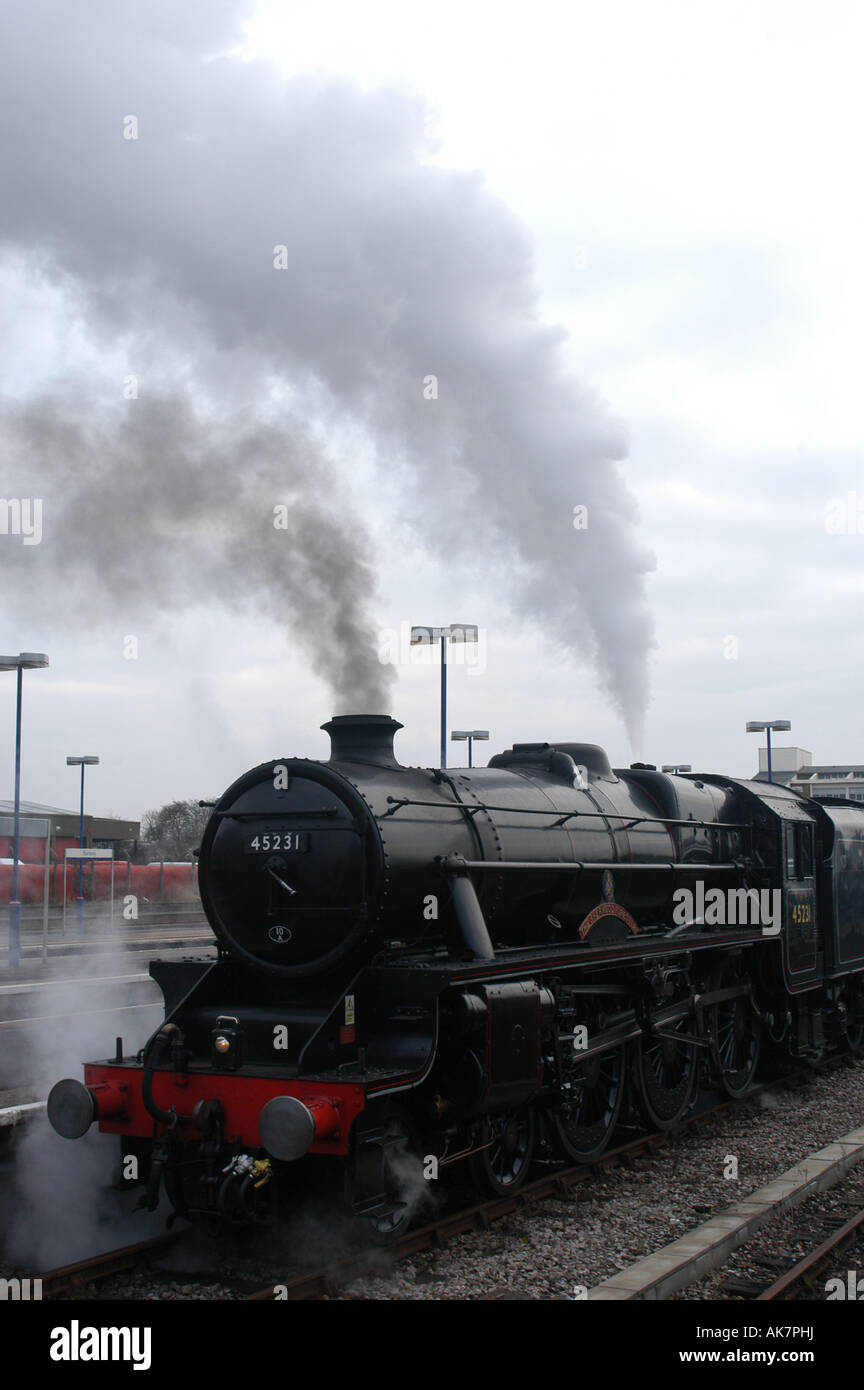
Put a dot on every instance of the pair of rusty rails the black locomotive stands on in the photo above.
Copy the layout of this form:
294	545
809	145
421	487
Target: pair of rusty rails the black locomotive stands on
326	1281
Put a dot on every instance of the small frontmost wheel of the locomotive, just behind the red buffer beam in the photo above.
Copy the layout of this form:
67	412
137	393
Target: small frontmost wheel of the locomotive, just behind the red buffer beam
384	1182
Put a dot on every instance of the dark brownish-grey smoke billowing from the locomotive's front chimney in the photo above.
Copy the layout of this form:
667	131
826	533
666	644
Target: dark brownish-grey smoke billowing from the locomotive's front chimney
149	505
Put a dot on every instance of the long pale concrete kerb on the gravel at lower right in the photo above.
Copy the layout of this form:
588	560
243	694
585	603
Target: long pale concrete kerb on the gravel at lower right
709	1246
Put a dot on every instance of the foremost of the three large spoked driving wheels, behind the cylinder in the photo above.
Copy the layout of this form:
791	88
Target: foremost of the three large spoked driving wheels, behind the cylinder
591	1106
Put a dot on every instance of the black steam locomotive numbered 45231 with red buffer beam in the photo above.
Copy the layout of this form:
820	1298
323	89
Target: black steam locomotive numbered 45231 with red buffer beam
477	965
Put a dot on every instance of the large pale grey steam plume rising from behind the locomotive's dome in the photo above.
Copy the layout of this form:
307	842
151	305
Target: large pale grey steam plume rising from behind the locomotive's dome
397	270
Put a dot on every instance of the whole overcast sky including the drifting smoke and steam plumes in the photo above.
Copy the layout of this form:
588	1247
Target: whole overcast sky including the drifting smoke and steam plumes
626	240
